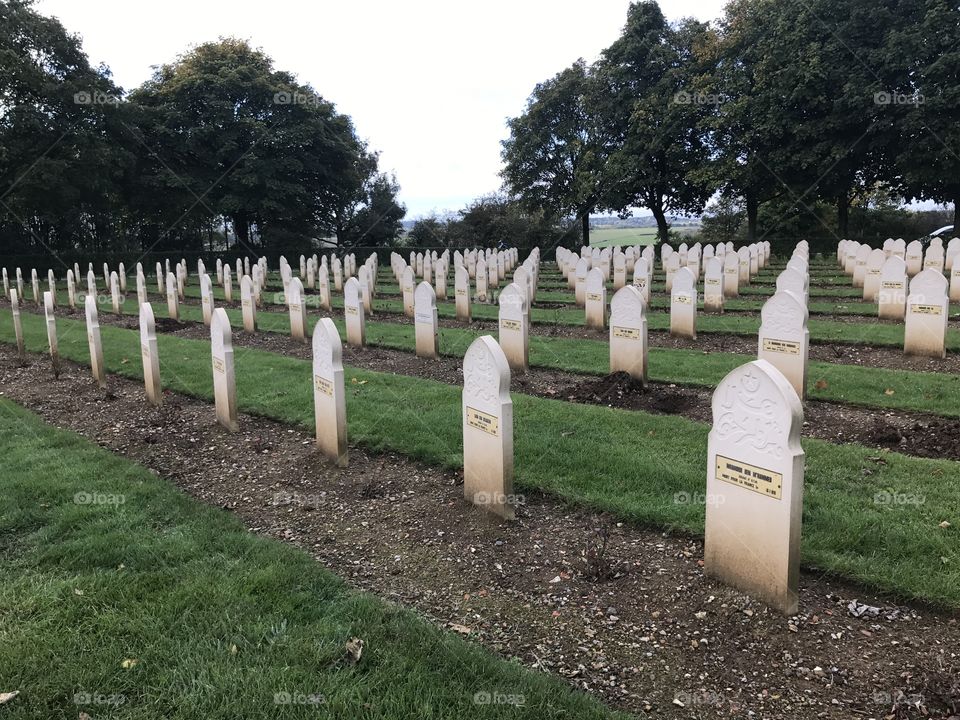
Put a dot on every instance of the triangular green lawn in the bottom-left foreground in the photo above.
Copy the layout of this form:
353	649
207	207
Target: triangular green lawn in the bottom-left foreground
218	620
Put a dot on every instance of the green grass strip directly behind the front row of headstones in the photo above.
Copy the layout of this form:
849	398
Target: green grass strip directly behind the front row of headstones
627	463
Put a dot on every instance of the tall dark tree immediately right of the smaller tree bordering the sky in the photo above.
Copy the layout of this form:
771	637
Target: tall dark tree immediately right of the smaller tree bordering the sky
653	111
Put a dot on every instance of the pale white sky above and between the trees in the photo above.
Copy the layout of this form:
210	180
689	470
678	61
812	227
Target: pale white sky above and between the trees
429	83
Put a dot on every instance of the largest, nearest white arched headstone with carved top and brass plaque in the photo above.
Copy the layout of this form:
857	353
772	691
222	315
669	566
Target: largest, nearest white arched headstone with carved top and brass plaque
755	468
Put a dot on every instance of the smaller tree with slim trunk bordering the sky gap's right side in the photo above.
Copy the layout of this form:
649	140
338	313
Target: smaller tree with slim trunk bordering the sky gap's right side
555	155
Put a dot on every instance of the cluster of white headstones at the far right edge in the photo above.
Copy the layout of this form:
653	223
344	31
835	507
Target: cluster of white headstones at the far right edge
921	299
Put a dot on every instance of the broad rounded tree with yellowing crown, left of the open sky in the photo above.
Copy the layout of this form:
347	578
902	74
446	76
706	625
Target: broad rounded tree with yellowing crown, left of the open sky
230	136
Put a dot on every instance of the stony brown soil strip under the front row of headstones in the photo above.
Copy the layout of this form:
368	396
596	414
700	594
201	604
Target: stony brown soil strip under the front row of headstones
618	611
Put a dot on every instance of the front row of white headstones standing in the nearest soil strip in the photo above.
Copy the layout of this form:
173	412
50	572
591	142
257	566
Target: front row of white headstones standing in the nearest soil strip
755	463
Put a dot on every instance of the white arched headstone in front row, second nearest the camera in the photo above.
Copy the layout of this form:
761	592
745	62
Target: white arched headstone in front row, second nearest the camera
487	413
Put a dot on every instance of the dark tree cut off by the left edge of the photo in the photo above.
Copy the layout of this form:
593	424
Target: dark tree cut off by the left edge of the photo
62	147
